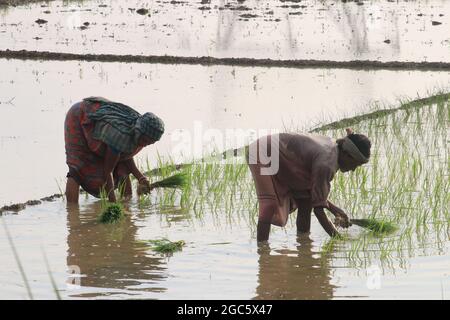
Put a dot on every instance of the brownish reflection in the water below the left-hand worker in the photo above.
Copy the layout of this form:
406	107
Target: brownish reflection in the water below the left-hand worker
109	256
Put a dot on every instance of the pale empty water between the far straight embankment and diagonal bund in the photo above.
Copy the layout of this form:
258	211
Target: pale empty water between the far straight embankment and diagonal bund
35	96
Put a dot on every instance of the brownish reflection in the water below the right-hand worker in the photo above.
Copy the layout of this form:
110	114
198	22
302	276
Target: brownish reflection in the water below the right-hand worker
293	274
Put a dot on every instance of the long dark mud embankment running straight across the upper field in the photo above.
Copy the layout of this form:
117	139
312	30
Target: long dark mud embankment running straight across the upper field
243	62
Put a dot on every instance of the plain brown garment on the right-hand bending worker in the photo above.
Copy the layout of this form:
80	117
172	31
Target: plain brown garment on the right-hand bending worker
307	164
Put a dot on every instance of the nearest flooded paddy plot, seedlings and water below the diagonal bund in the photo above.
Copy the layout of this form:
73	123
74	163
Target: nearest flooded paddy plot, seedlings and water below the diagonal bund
405	182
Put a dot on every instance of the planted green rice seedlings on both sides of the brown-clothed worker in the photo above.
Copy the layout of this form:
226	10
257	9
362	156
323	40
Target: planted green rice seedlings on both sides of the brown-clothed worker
404	186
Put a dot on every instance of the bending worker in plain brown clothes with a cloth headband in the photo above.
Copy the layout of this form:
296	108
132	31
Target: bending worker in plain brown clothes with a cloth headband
306	165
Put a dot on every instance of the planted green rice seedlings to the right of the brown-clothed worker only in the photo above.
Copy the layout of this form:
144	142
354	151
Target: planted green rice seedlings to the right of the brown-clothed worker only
405	182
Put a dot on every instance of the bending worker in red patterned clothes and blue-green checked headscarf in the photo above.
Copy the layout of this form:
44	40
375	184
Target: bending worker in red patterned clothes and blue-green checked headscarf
101	139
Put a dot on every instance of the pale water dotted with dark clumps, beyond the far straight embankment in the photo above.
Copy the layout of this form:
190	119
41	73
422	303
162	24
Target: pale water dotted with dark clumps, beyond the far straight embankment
330	30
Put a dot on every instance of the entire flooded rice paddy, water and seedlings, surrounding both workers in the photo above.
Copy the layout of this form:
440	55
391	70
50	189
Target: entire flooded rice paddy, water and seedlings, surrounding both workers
406	182
